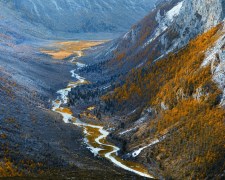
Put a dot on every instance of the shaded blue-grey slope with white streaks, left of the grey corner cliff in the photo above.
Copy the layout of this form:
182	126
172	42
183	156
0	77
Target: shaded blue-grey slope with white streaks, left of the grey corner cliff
146	38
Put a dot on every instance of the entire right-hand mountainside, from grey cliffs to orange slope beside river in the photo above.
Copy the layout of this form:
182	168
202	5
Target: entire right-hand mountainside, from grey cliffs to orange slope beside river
168	110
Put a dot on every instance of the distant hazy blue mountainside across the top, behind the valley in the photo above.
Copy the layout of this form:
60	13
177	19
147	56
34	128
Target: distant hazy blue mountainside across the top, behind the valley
83	15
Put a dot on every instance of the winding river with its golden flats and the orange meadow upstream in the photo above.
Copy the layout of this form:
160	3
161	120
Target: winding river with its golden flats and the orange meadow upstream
95	135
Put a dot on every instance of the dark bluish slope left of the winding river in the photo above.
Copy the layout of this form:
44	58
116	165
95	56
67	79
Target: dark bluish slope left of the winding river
34	140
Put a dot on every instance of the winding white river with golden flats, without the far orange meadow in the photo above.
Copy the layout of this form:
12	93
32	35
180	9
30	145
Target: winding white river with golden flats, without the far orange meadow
95	136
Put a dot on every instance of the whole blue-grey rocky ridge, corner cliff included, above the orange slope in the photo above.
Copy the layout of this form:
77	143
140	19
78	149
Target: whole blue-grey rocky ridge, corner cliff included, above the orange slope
167	28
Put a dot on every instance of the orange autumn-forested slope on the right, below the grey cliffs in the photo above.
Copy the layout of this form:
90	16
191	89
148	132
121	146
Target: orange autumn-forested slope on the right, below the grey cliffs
187	101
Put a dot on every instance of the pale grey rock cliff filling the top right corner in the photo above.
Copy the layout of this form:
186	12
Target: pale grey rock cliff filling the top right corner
197	16
